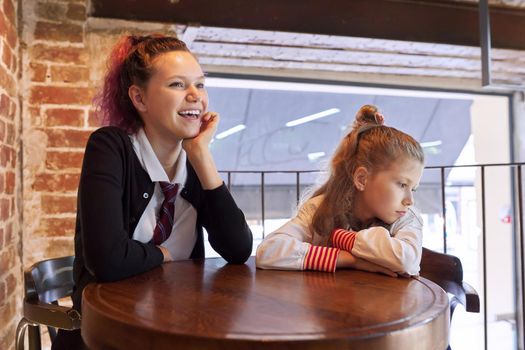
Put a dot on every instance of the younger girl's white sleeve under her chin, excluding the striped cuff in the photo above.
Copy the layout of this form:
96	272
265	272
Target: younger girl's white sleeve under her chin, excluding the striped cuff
398	250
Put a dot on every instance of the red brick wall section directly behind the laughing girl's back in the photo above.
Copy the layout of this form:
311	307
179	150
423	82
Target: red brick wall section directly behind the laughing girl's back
56	123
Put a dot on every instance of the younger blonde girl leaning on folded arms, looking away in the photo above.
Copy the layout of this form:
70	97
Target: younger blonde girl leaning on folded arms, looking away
362	217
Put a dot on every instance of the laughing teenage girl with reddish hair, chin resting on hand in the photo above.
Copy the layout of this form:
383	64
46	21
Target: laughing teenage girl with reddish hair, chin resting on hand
149	183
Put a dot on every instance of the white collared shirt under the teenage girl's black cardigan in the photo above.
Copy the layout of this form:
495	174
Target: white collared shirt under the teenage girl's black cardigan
183	234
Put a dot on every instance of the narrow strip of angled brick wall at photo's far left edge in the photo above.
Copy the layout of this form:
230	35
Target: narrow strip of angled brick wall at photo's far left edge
10	240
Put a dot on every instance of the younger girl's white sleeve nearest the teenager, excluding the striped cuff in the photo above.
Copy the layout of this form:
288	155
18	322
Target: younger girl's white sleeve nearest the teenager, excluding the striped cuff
286	247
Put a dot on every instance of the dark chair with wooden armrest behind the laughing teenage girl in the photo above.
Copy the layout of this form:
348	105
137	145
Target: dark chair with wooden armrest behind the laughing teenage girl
45	283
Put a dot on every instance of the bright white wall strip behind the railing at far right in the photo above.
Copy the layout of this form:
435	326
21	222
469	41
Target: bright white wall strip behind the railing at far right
490	129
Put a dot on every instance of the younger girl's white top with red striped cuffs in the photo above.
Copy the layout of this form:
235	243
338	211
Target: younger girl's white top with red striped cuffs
397	246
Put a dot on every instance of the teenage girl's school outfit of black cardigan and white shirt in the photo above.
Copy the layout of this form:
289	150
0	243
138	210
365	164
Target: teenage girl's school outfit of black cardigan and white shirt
118	200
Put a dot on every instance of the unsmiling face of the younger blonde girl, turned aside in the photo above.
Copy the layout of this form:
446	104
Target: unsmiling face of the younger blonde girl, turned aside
386	194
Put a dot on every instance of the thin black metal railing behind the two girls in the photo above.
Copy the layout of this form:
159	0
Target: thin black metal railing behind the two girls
516	188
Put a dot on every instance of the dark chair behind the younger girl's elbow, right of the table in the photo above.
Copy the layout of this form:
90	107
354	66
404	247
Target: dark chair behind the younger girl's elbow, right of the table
446	271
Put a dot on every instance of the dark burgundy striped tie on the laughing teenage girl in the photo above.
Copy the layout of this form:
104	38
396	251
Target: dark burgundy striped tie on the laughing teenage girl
165	219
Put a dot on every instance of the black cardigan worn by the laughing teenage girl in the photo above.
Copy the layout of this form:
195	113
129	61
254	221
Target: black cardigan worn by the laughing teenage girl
113	193
